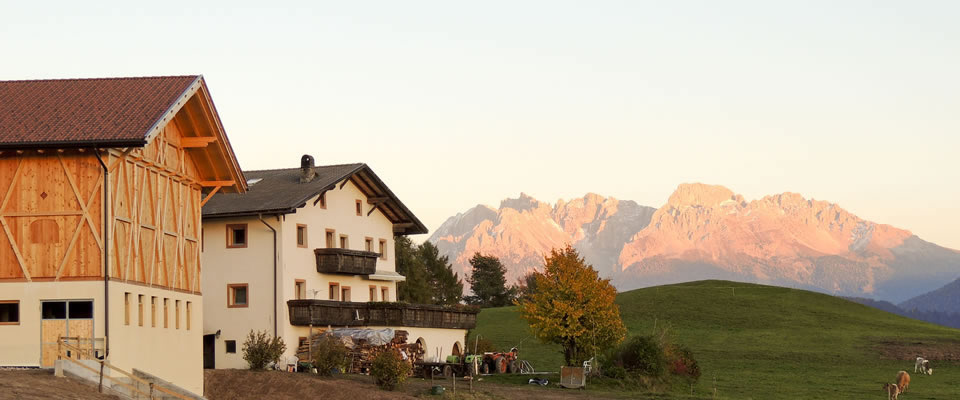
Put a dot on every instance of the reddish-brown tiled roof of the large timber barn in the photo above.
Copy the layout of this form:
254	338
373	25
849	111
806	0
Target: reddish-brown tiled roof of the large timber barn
75	112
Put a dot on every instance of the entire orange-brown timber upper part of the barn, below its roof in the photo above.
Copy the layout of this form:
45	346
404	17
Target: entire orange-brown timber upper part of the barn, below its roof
52	207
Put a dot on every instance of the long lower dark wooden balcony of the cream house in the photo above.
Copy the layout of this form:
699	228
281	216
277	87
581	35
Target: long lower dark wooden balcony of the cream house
345	313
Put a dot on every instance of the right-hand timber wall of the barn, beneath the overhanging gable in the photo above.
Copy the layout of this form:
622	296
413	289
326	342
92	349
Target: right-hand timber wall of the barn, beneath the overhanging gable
156	219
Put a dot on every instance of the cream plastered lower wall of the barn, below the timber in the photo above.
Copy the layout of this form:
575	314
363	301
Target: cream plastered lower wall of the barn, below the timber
172	354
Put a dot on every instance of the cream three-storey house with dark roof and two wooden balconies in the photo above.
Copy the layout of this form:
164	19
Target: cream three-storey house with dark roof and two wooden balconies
306	248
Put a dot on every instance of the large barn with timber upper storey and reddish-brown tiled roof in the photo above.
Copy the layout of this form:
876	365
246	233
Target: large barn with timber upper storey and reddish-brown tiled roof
101	184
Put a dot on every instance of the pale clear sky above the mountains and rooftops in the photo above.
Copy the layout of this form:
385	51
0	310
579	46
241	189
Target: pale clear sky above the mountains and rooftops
455	104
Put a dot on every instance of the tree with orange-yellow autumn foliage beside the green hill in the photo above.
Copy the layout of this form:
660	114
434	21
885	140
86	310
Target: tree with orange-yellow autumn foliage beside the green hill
573	307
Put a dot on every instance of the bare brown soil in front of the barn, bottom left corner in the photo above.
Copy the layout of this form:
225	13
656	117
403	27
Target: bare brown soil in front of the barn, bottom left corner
35	384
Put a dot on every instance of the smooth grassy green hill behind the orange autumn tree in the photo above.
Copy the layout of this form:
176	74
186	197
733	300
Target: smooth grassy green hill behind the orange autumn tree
767	342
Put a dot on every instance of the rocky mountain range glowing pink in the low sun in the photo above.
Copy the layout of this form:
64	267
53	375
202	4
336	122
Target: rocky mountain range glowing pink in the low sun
706	232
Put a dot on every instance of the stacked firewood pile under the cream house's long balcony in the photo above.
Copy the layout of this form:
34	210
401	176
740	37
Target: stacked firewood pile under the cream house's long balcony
361	355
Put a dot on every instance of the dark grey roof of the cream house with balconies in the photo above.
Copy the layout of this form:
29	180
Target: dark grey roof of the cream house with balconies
279	191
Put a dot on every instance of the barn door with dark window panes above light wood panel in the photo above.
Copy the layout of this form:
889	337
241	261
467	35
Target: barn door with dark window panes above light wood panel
69	318
